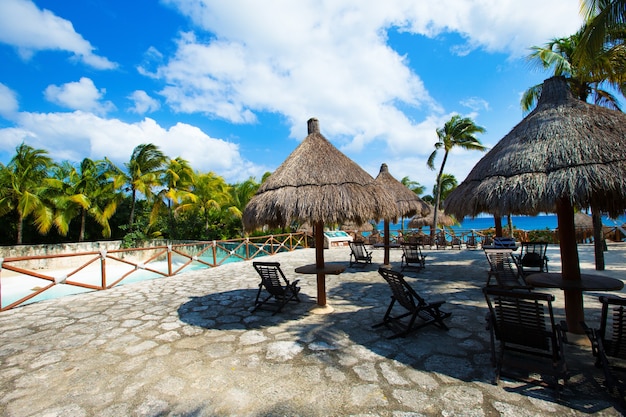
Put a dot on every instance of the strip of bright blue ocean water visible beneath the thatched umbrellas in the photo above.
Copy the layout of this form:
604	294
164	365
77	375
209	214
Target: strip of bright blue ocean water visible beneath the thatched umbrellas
540	222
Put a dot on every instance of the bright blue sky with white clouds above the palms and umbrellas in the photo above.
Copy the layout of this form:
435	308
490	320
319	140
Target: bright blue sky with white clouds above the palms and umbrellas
229	86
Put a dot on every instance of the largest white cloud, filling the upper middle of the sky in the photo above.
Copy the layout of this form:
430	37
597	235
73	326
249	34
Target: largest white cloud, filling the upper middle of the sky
331	60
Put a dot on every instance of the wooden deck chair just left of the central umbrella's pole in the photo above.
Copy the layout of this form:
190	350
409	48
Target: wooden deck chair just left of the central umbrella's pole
275	283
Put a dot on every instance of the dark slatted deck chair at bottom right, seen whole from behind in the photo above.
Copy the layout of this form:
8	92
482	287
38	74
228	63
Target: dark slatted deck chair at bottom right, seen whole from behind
523	324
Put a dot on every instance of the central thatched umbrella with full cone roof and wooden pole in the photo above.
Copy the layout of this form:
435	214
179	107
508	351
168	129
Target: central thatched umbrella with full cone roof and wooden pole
319	185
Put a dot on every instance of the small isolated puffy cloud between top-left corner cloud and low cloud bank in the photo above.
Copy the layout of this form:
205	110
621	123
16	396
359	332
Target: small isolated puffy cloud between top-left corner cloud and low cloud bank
80	95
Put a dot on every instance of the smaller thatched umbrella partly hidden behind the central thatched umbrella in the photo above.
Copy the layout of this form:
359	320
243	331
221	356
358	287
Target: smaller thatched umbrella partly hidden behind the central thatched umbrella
407	201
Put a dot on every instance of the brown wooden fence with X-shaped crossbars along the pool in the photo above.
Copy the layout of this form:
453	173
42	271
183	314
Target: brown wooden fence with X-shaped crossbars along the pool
34	278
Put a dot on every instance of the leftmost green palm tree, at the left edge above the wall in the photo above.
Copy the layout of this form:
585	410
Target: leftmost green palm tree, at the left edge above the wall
22	188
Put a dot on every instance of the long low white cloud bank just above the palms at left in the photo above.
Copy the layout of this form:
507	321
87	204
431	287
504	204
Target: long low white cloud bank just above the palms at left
77	135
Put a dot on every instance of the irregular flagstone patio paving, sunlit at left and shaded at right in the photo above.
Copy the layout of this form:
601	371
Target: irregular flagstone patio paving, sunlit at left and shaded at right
189	346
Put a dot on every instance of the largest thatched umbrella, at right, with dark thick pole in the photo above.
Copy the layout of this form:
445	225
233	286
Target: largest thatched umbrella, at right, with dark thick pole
564	154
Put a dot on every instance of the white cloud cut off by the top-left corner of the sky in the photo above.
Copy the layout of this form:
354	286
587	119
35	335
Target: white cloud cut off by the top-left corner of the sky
30	29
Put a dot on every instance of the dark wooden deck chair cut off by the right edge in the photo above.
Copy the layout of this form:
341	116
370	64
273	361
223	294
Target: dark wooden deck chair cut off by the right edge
608	344
